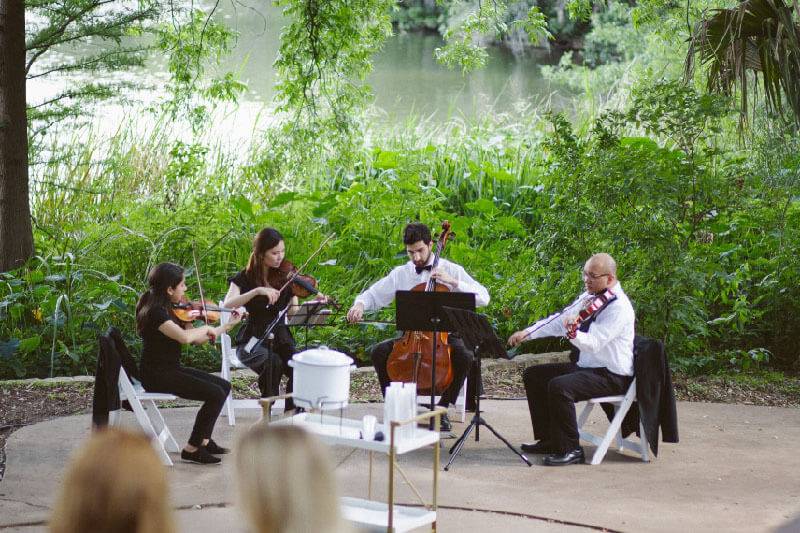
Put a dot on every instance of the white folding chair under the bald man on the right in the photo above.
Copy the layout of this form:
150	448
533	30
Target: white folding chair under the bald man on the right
621	406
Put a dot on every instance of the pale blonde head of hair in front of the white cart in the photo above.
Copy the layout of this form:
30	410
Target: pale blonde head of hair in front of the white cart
285	482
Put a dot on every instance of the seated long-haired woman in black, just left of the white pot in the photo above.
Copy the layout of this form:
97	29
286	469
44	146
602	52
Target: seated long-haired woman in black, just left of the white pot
263	290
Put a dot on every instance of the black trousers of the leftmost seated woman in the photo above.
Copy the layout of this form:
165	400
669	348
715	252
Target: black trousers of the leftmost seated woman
191	384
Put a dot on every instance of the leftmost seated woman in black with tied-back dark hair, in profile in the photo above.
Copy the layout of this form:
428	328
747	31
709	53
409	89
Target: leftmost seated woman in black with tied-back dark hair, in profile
162	335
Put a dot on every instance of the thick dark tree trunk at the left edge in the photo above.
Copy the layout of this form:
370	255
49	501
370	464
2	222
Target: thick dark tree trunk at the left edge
16	234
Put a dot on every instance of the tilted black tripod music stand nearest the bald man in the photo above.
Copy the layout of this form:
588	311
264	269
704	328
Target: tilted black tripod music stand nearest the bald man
478	334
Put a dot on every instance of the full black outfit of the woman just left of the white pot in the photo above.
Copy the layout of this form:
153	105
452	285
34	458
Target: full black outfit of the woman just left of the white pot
271	359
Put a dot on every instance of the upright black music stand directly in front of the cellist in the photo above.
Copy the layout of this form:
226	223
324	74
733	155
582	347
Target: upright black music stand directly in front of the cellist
422	311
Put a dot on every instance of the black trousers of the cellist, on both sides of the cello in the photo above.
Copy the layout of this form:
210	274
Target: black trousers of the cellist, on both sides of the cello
461	359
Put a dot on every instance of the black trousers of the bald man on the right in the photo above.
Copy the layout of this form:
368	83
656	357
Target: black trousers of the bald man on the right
552	391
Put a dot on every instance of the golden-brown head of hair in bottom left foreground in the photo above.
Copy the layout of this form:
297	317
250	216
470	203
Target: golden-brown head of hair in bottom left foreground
115	483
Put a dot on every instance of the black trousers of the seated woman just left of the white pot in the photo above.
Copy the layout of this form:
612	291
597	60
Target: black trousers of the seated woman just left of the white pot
271	362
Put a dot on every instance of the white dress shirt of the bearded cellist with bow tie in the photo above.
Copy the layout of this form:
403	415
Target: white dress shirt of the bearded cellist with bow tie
405	277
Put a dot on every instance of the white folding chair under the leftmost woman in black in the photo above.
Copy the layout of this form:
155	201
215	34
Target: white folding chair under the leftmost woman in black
153	424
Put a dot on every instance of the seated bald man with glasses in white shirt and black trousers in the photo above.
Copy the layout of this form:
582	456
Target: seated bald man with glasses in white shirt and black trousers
603	344
